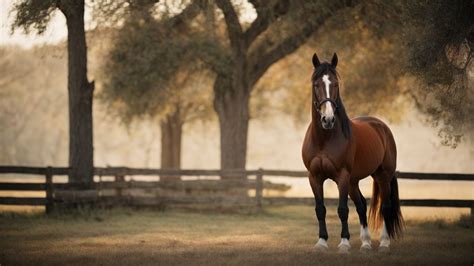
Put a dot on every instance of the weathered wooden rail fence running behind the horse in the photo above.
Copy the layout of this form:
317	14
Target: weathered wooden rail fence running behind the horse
57	193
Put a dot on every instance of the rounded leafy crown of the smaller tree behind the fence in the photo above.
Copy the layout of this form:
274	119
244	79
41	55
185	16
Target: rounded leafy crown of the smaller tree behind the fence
152	70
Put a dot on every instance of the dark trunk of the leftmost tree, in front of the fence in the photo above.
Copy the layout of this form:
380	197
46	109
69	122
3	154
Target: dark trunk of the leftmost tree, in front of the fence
80	95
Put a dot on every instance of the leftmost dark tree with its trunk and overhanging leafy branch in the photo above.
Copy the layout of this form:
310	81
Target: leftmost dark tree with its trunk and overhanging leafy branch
35	15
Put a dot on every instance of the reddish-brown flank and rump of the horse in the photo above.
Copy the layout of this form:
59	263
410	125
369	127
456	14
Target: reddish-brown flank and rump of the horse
375	146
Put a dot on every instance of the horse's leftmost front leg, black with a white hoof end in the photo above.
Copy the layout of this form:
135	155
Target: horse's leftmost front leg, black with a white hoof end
317	187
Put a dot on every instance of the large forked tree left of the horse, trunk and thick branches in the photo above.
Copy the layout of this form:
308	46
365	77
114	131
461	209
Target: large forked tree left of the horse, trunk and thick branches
279	29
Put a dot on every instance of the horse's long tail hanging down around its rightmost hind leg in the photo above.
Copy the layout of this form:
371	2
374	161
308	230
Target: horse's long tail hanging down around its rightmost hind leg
391	213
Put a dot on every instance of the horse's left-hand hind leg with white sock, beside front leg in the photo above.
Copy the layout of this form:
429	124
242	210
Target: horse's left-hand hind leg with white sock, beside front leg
361	207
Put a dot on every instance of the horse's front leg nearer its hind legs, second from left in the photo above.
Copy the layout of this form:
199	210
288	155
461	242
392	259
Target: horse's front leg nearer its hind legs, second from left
343	211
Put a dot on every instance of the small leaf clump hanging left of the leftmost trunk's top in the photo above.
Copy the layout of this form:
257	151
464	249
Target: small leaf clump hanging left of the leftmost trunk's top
33	14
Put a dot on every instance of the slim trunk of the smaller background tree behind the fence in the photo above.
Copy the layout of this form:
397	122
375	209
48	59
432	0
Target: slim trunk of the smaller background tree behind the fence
171	135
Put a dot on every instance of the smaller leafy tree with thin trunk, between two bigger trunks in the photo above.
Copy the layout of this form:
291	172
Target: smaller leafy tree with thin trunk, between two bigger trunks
134	85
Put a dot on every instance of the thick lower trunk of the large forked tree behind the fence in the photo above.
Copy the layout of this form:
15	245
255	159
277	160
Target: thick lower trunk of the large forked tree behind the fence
232	107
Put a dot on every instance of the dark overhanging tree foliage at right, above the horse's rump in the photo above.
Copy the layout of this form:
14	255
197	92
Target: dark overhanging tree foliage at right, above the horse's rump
439	37
